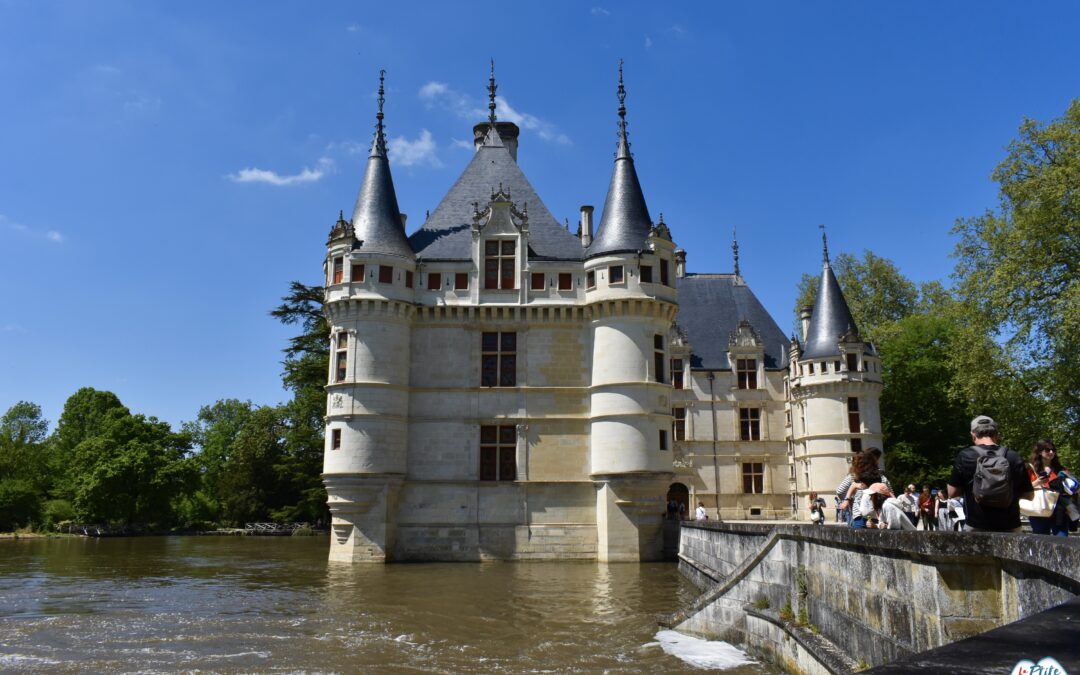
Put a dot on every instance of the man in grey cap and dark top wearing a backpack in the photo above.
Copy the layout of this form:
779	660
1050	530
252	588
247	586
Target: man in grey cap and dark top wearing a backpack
992	479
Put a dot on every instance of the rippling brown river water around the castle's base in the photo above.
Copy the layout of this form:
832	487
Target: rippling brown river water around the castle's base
275	604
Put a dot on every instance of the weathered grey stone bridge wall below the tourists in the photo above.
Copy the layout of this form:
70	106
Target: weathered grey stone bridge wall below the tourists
833	600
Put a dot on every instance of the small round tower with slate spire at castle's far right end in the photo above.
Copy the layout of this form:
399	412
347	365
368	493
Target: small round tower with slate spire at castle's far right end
835	390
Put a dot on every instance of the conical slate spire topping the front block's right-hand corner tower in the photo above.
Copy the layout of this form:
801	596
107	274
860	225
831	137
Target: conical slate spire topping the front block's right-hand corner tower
626	223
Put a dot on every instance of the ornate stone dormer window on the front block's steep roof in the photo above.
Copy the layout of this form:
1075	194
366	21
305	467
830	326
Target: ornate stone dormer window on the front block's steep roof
503	227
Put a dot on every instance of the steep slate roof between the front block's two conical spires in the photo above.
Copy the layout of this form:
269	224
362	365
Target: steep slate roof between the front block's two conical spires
448	236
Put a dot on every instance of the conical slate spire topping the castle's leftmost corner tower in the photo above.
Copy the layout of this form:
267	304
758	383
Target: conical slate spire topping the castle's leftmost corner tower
376	219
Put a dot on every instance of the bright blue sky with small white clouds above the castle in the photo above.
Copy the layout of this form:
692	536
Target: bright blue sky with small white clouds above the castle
167	169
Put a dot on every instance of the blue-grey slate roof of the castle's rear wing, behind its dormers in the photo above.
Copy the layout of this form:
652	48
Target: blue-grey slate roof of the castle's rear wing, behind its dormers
711	307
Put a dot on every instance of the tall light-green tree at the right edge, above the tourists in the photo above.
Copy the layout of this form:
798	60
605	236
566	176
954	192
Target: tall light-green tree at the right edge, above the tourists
1019	267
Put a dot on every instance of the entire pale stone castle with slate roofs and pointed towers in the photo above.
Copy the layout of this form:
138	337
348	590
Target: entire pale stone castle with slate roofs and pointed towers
503	388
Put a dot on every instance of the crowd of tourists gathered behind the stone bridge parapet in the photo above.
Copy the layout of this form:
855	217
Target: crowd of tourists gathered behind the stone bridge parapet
989	491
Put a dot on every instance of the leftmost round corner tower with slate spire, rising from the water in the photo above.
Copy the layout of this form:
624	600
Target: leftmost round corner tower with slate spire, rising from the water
370	293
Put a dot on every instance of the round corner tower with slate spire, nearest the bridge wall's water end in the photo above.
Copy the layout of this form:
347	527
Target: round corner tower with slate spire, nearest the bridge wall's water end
630	293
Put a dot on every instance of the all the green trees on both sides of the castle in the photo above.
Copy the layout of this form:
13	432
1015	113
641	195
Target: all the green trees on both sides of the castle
1002	339
